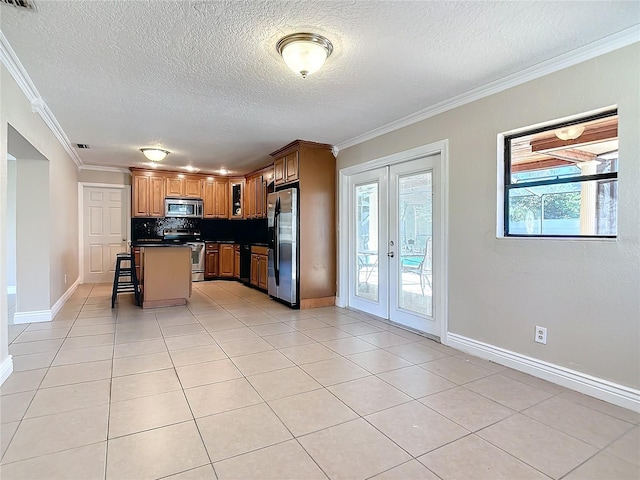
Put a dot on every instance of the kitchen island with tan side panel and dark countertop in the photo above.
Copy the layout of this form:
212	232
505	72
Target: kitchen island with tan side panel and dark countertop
165	275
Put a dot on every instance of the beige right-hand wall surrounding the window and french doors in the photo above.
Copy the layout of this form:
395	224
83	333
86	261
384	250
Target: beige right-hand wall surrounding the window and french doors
586	292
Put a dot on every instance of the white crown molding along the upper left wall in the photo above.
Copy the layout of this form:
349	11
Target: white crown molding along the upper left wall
11	61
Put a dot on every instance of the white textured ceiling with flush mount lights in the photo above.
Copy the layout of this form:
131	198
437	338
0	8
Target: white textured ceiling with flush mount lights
203	79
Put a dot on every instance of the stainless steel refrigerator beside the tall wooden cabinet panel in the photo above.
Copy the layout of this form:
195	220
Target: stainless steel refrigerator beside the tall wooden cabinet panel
282	223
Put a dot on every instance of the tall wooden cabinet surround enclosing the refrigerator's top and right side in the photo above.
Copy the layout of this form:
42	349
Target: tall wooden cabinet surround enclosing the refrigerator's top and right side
313	166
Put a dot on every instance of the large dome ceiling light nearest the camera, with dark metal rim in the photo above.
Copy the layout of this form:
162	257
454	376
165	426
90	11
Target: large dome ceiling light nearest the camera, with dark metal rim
304	53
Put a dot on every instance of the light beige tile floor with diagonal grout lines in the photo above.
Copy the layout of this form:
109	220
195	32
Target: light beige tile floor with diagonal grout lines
235	385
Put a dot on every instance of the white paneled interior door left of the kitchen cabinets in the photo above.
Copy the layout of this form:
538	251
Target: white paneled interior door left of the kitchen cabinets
104	231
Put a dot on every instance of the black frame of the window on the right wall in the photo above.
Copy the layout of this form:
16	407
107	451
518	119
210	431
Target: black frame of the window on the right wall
508	185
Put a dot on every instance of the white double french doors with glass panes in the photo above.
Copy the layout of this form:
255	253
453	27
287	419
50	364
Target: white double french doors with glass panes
394	222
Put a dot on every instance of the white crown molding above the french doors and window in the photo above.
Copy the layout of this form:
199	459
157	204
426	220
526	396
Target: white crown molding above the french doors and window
595	49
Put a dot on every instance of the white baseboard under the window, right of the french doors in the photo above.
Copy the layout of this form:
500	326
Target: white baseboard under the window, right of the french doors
617	394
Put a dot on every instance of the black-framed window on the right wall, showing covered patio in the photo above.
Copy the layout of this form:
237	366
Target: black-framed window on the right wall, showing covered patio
562	180
